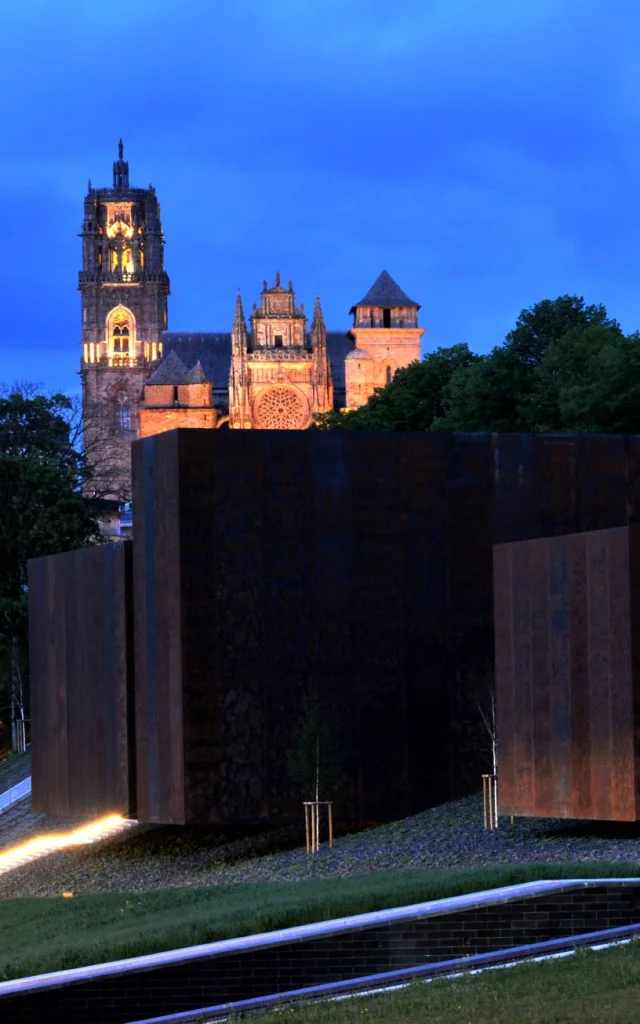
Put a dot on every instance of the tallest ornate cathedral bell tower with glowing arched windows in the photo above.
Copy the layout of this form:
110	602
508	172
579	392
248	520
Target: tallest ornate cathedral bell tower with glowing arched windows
124	289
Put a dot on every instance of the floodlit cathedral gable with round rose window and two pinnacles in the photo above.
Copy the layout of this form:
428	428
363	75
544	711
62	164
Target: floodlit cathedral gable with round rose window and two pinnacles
280	378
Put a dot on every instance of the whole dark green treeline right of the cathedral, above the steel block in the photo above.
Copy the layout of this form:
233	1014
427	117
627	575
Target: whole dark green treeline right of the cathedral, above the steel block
566	367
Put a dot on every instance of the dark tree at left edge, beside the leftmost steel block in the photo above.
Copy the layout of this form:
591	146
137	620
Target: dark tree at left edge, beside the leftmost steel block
42	513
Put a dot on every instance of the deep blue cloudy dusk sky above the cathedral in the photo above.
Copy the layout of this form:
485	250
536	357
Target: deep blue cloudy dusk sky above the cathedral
486	153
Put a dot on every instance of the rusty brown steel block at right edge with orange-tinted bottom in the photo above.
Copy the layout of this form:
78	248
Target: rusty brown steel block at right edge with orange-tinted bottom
566	626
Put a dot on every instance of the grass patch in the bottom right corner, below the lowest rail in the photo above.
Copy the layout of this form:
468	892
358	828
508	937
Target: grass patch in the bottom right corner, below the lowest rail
603	988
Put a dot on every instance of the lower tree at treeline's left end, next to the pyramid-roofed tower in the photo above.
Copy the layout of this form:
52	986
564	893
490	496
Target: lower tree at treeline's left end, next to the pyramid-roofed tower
414	399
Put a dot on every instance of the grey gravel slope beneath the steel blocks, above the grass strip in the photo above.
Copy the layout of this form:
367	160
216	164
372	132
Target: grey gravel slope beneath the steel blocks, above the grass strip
151	858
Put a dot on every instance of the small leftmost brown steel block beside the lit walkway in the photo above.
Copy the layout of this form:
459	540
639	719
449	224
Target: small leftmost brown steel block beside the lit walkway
81	663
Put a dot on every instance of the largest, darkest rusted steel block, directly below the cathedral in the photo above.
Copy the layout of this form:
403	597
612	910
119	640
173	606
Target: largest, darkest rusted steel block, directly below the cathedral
360	564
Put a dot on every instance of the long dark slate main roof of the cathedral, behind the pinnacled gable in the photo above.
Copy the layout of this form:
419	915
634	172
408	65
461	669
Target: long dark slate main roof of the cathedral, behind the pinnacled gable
214	353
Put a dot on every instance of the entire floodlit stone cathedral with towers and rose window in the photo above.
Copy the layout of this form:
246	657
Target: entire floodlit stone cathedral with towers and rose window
139	378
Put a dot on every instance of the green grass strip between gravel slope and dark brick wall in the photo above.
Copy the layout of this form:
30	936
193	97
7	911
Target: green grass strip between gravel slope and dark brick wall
54	933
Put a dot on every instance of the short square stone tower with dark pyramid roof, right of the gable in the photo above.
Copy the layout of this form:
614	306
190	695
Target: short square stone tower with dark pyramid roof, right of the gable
388	337
